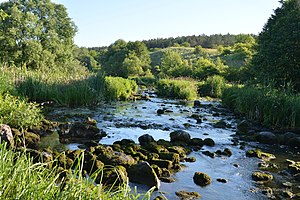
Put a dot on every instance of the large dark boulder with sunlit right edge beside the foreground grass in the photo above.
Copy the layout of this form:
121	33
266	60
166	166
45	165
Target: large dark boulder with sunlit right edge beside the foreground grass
143	173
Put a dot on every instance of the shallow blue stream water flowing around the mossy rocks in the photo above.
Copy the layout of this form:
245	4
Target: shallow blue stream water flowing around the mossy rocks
132	119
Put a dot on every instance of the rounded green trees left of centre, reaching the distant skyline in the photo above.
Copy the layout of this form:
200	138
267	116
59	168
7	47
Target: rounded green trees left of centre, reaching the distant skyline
126	59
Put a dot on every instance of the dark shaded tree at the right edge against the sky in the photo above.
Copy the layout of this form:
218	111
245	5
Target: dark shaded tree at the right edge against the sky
279	47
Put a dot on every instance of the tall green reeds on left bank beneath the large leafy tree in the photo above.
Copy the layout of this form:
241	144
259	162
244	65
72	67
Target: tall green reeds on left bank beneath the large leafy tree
69	87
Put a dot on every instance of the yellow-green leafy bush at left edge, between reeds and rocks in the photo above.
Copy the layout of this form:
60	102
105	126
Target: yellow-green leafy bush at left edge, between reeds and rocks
18	113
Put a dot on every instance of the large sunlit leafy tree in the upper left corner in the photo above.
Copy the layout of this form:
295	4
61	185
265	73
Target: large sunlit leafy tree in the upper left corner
35	34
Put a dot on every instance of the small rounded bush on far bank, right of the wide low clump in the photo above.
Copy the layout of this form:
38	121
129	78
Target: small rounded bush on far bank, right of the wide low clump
212	87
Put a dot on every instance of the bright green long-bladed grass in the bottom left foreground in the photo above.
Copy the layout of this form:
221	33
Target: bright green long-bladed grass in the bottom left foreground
20	178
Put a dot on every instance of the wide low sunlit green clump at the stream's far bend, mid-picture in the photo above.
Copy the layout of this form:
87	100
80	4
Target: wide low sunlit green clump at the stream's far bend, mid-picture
178	89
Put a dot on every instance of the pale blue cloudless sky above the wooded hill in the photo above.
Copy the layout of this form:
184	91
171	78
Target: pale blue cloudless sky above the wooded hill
102	22
